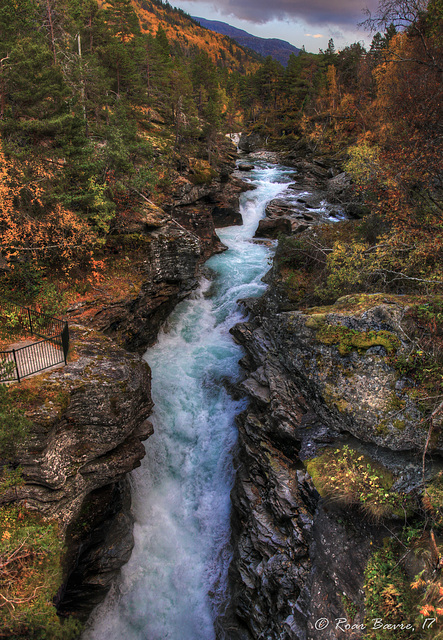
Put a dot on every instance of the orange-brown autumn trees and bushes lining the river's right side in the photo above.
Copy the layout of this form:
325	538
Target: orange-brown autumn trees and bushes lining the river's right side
379	112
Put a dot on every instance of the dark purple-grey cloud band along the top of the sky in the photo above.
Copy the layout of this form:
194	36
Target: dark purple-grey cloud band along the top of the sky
343	12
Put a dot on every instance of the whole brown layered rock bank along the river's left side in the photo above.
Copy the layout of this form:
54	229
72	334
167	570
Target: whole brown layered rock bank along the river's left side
88	419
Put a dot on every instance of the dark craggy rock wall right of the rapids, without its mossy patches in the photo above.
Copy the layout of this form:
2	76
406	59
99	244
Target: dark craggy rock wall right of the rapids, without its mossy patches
298	559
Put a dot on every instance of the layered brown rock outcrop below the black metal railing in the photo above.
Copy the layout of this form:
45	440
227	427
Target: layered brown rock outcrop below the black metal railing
82	444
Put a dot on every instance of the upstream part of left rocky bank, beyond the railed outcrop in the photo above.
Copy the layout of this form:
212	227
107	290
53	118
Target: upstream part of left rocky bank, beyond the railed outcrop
172	242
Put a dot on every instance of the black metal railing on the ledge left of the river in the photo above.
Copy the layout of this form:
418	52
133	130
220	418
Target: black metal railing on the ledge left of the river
52	349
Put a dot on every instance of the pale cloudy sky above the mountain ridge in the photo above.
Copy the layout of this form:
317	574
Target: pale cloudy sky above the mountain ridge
301	22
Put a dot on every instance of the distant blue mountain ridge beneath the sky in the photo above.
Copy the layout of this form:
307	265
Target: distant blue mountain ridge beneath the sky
278	49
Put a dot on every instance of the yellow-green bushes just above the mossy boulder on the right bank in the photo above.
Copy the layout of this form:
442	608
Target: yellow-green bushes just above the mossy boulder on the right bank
331	261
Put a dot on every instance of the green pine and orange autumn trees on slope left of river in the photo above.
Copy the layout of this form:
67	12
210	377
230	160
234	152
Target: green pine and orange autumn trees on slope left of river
95	115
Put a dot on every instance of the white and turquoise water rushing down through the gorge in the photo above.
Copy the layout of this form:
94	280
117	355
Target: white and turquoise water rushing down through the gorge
175	582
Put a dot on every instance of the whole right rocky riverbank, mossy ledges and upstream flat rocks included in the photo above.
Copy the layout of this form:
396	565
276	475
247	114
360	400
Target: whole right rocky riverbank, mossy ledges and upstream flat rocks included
326	396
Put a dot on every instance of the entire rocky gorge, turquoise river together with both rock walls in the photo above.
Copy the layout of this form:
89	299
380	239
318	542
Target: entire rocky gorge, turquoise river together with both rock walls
215	528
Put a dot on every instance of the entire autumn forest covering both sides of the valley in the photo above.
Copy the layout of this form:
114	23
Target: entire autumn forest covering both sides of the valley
82	85
